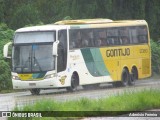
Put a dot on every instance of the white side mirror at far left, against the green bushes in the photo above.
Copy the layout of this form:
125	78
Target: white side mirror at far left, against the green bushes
6	51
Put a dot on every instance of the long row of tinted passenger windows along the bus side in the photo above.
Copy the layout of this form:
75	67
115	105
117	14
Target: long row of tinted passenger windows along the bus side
99	37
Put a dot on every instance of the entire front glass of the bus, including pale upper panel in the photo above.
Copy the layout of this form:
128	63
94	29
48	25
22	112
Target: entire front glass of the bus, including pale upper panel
32	52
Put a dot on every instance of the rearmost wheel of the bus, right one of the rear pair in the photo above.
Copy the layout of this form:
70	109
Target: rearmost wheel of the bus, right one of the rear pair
133	76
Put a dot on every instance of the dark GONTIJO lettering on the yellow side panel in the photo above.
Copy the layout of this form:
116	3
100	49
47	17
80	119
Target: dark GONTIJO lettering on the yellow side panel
118	52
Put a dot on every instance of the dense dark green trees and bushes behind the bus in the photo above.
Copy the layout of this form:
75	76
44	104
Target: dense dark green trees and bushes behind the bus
19	13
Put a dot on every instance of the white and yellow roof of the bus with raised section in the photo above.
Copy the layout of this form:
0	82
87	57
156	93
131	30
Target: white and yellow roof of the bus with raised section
83	23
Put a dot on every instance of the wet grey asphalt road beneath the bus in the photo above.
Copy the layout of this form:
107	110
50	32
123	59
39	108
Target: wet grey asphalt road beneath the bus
10	100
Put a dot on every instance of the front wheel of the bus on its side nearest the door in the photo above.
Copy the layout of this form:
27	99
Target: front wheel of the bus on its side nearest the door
74	83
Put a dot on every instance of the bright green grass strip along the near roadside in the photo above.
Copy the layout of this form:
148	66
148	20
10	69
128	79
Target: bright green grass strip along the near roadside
128	101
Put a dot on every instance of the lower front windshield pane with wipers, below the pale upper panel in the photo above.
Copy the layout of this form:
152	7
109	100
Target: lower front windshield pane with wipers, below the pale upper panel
33	58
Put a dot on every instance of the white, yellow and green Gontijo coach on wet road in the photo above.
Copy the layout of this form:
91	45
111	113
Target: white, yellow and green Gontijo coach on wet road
85	52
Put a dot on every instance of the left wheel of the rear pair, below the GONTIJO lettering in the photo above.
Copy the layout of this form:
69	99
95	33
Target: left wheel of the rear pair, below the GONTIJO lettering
125	77
